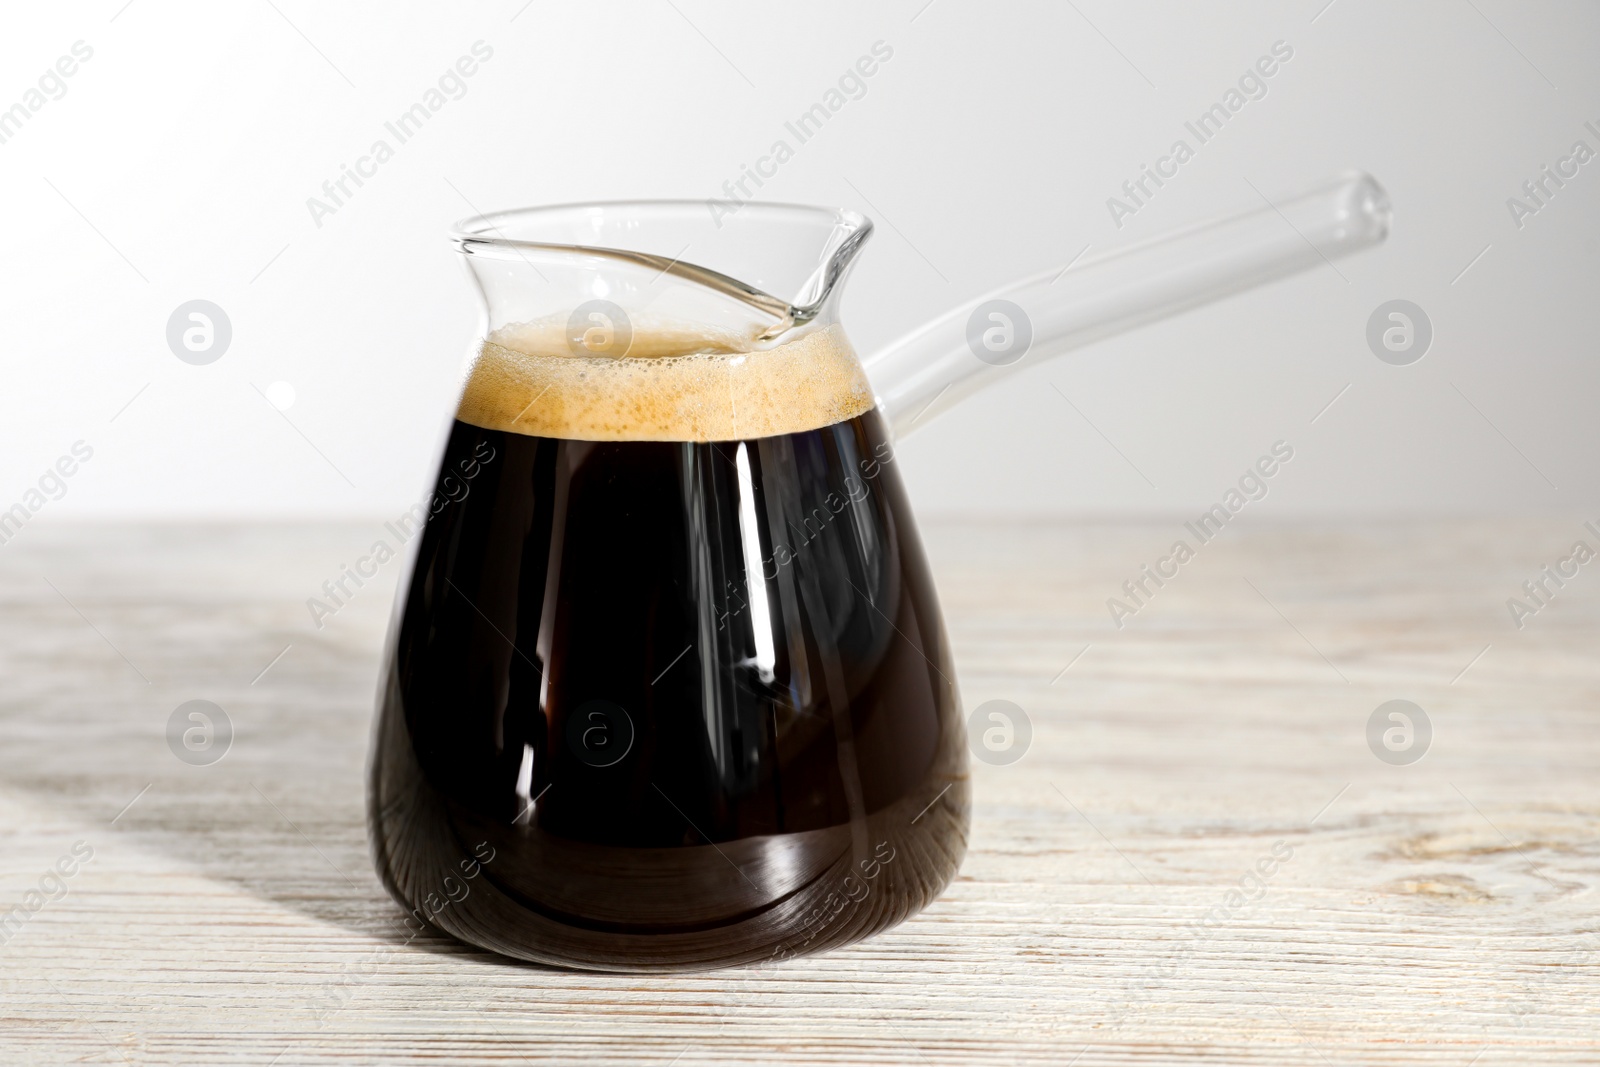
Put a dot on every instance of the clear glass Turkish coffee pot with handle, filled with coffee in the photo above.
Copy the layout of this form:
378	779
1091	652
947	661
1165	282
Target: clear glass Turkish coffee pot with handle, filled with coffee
668	685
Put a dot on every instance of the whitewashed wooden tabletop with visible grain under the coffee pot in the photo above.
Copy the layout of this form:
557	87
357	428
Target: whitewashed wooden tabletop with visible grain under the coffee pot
1425	914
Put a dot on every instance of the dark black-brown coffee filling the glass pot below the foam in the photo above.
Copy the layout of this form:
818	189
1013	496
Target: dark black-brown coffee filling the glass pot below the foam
666	706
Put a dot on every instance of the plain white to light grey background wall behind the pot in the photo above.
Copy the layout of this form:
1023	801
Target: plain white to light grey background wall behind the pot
180	161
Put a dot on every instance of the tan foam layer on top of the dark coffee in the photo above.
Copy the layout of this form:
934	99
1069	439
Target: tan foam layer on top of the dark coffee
678	383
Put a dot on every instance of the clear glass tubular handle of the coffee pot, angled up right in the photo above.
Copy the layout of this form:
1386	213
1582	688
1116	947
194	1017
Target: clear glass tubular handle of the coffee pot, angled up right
1039	318
